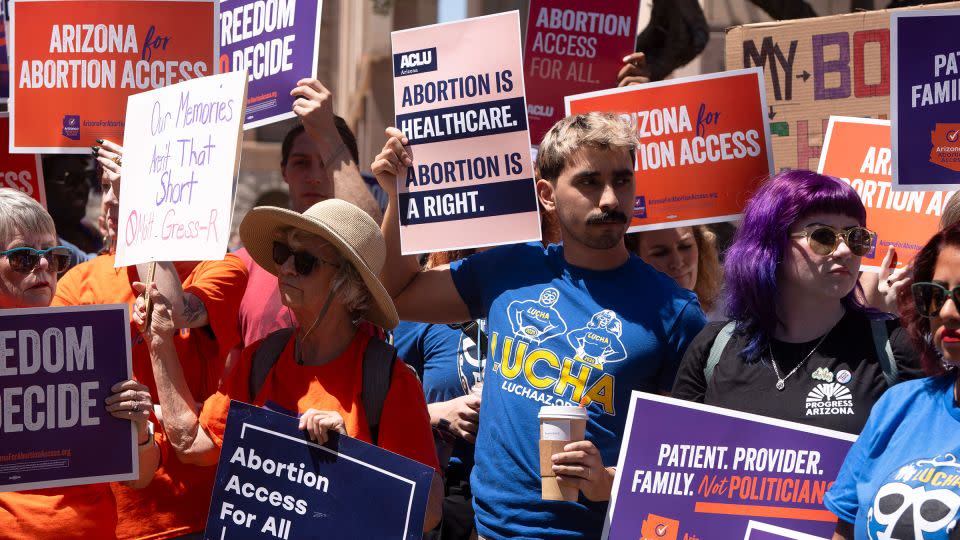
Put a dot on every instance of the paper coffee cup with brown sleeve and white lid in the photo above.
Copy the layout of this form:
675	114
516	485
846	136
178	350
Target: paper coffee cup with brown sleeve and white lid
559	426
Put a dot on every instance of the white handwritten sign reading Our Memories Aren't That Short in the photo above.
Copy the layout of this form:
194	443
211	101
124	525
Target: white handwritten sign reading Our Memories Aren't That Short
179	170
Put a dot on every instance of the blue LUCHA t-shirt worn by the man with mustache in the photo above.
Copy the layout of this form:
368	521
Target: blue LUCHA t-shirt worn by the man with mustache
559	333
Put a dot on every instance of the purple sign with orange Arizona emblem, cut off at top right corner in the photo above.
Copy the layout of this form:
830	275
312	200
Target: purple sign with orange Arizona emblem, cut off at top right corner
925	100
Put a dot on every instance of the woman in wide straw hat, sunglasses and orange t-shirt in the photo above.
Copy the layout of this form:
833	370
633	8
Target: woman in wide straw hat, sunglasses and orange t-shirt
327	261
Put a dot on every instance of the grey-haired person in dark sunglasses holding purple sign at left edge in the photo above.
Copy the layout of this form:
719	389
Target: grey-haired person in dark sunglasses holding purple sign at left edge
30	263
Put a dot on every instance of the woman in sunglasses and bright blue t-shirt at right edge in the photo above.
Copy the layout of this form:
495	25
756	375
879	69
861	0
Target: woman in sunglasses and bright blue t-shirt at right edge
898	480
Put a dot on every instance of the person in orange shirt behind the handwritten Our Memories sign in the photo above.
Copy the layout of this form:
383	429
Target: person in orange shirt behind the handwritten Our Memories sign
206	296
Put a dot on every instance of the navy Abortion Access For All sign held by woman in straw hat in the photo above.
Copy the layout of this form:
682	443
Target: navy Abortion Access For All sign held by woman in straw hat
273	482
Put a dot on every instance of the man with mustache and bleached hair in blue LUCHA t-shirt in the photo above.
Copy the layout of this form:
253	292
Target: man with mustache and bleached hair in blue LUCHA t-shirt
585	175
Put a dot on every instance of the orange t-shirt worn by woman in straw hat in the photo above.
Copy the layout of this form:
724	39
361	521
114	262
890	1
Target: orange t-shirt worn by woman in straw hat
334	386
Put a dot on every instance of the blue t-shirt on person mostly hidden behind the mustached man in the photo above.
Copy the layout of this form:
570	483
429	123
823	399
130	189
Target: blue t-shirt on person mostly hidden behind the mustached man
448	362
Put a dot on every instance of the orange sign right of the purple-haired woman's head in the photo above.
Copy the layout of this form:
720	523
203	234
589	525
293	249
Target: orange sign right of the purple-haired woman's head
857	151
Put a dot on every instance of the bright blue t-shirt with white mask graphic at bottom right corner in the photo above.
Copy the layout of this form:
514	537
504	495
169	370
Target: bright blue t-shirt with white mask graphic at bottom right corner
901	479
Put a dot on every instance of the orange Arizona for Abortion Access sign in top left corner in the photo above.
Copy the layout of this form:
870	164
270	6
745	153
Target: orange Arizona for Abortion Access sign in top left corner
75	62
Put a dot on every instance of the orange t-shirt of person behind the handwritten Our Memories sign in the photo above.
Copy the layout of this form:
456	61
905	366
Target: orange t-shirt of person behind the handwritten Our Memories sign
177	499
